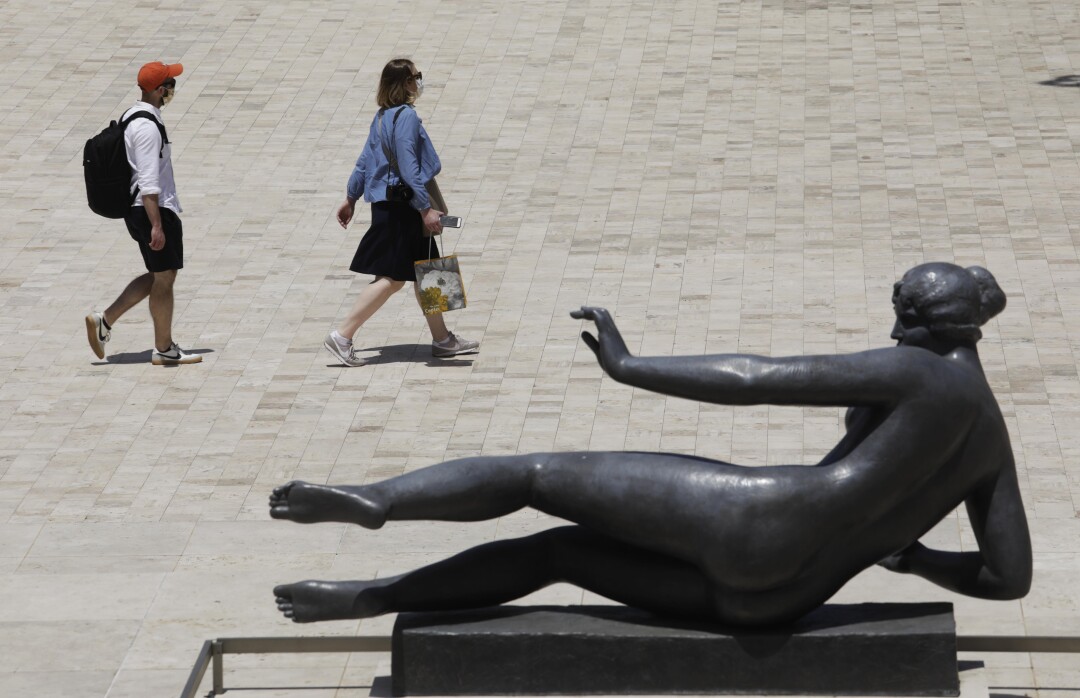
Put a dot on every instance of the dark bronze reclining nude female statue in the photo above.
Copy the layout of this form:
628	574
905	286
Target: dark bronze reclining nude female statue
686	536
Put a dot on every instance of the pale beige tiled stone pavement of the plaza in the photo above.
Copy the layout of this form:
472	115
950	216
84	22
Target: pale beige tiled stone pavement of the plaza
723	176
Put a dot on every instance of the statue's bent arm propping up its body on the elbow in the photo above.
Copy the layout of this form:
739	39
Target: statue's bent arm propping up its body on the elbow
1002	569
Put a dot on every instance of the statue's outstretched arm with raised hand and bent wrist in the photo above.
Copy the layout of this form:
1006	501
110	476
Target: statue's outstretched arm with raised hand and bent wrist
867	379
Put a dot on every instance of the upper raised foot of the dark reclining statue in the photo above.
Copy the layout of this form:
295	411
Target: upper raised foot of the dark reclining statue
305	503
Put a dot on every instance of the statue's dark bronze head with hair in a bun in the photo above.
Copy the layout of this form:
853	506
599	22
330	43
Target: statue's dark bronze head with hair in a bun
948	302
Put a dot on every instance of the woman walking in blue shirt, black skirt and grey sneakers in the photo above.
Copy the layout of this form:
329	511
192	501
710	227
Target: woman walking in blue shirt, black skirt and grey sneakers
391	174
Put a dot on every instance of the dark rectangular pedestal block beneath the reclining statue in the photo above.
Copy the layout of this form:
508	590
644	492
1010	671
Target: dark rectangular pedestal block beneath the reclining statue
868	650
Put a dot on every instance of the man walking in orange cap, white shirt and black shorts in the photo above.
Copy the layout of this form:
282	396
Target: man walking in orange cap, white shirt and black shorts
153	222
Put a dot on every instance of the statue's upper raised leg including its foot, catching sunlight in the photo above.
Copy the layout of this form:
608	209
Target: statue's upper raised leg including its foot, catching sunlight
666	503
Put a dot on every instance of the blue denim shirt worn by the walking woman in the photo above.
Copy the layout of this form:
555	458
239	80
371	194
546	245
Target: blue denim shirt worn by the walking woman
417	160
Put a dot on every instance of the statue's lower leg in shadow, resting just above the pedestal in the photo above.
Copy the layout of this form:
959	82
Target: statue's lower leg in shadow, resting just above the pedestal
507	570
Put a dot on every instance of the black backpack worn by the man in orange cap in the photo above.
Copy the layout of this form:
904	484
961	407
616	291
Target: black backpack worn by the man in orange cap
106	170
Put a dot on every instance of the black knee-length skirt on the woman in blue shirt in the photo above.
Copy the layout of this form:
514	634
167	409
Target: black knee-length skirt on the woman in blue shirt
394	243
